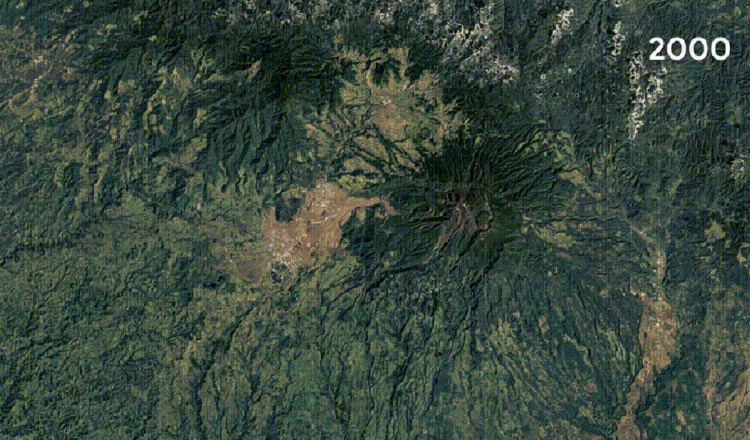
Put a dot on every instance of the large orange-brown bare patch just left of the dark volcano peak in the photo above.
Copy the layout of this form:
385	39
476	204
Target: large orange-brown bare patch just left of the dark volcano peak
316	228
